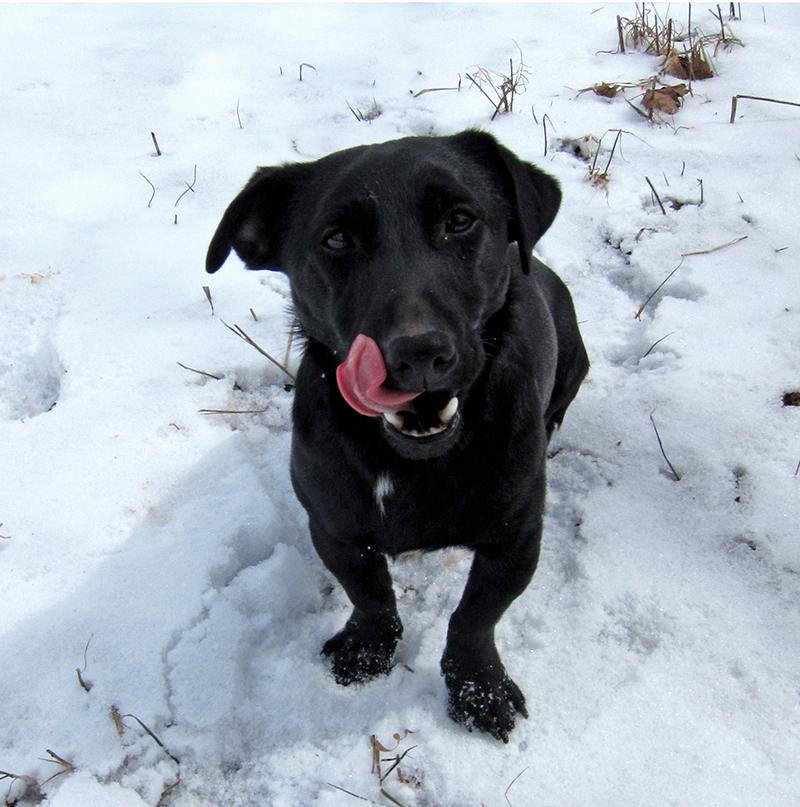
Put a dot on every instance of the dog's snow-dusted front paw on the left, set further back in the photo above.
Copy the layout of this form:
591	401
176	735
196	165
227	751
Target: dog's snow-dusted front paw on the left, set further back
363	650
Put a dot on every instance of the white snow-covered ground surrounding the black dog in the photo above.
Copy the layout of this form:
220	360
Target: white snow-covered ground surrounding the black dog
159	550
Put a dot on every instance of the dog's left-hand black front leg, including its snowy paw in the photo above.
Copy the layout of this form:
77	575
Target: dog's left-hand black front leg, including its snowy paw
364	647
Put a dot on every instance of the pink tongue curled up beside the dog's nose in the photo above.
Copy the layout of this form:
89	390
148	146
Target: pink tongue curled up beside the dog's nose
360	378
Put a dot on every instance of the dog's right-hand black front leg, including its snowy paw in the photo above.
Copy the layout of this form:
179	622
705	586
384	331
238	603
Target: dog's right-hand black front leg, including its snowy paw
480	691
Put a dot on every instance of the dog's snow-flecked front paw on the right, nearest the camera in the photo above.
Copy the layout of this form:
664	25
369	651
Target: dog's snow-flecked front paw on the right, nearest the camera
483	696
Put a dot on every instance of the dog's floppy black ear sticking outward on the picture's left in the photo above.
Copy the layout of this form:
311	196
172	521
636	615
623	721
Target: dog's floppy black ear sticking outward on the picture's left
255	222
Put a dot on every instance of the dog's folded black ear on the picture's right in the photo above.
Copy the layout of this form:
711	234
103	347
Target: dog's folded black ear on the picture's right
533	196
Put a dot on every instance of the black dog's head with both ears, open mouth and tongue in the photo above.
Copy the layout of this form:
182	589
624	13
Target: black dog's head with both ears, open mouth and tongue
397	256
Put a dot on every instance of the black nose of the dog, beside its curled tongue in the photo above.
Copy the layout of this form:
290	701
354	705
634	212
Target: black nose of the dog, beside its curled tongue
420	362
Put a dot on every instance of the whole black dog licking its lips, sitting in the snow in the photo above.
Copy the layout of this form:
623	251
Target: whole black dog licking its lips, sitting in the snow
438	360
